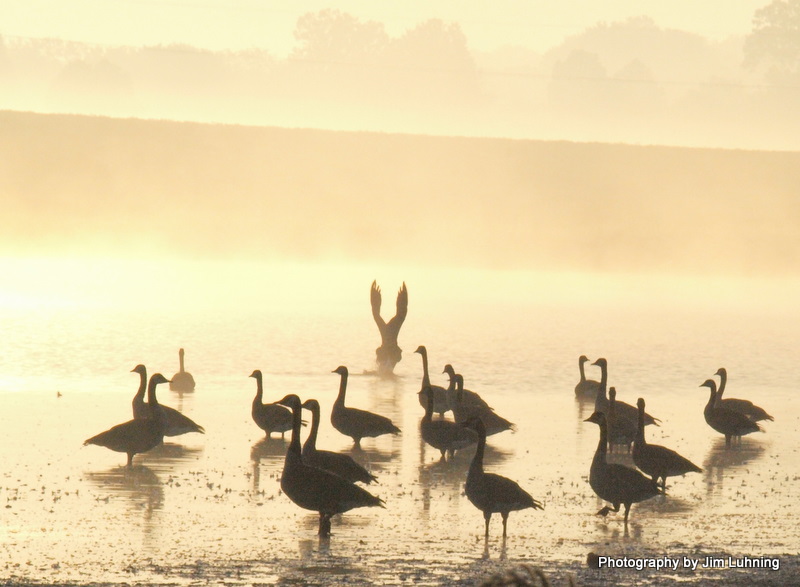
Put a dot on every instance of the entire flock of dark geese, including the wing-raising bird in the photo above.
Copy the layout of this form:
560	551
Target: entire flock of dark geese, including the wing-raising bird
326	482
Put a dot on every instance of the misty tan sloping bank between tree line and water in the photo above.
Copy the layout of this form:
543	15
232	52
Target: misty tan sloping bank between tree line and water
129	187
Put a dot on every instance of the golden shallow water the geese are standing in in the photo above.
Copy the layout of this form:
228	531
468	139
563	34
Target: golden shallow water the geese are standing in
208	508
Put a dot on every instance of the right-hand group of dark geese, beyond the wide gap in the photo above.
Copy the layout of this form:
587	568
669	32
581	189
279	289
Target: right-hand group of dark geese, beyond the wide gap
623	424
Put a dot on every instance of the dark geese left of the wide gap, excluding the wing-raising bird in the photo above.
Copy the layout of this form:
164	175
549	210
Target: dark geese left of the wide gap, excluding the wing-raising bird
325	481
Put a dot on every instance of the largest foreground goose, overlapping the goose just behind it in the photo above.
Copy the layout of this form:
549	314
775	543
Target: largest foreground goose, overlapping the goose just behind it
316	489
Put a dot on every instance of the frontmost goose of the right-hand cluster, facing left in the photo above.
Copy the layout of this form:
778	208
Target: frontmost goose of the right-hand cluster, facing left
616	483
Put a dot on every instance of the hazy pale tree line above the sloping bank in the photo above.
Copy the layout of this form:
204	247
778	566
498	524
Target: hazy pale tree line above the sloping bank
628	81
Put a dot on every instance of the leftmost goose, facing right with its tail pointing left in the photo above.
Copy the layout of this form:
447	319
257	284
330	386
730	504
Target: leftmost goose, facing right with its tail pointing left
136	436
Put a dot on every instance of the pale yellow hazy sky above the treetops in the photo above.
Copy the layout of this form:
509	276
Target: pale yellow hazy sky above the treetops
238	24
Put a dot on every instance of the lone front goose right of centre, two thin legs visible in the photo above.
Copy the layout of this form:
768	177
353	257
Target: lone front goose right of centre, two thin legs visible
492	493
